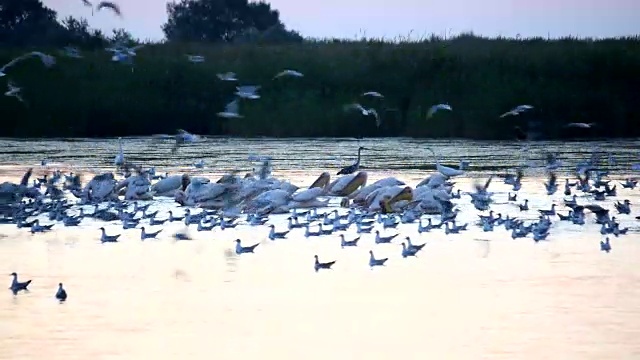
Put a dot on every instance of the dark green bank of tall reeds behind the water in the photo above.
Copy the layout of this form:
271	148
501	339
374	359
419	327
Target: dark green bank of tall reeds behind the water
567	80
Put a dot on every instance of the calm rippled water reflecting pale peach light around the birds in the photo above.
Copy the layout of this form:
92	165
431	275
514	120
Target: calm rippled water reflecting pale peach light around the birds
460	299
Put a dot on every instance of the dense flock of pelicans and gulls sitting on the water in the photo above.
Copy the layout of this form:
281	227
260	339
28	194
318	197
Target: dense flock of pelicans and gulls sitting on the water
371	209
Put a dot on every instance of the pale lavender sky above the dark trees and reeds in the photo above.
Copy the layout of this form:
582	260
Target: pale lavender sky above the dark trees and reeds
392	18
